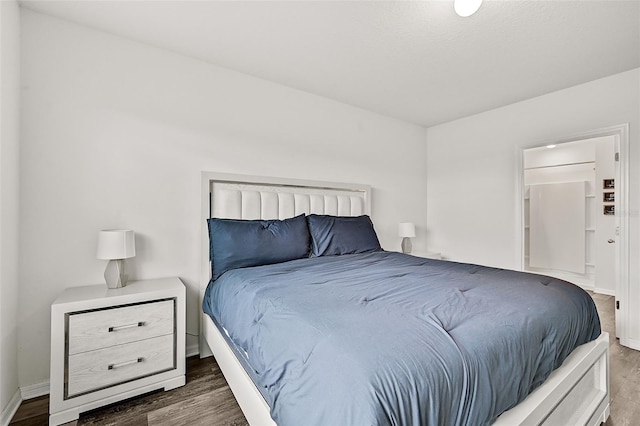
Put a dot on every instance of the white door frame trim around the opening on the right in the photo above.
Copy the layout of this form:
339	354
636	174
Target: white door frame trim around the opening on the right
621	133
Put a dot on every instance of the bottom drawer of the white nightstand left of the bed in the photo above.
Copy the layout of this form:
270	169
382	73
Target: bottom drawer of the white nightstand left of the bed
89	371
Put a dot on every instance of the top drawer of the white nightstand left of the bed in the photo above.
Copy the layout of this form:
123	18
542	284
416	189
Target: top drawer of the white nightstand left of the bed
119	325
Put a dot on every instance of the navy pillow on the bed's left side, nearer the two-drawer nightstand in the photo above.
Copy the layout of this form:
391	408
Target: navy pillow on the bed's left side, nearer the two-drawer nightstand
236	243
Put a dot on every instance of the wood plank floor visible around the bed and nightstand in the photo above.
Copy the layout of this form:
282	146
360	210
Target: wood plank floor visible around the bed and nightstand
207	400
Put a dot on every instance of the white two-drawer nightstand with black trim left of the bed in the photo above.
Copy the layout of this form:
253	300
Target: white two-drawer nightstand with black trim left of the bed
111	344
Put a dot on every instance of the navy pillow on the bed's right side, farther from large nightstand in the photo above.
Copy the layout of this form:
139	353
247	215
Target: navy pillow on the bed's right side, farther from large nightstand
332	235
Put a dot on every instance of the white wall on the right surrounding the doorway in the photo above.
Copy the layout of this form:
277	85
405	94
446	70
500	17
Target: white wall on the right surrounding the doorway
471	170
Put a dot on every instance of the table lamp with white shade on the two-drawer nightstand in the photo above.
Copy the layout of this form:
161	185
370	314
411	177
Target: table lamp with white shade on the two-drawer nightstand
116	245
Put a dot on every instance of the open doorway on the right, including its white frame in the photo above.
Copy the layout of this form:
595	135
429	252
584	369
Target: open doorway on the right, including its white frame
574	220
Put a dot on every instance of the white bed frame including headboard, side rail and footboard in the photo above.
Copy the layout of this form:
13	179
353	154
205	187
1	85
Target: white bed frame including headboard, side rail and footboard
577	393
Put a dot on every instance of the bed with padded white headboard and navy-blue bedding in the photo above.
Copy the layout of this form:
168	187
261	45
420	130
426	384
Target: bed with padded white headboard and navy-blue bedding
386	372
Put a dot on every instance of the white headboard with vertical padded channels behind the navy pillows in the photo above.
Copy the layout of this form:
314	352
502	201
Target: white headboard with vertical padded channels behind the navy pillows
233	196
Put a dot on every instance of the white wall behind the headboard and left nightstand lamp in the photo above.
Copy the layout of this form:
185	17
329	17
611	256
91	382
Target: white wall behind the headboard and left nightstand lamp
116	133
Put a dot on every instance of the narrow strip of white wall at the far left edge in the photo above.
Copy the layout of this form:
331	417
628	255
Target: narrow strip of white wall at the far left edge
9	158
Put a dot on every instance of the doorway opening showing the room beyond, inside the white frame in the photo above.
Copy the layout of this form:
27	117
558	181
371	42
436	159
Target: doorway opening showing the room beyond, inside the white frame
570	220
